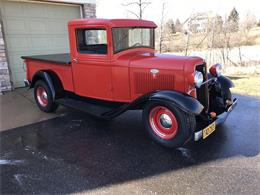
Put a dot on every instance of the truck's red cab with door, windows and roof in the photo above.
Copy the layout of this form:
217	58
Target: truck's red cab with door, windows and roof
101	52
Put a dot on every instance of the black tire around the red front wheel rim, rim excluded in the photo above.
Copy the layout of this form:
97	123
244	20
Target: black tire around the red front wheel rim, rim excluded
186	125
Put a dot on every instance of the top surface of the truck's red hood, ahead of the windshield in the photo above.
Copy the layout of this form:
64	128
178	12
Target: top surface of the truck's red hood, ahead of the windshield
163	61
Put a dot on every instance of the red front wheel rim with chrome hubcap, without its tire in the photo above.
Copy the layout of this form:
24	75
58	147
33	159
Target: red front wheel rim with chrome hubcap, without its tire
163	122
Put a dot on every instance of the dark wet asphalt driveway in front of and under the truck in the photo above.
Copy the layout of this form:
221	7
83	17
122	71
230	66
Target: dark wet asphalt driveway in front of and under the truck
76	153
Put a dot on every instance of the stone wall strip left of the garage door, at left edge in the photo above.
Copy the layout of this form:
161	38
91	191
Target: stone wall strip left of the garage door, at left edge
5	84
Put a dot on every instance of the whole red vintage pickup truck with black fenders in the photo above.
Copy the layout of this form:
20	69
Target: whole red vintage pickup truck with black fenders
112	67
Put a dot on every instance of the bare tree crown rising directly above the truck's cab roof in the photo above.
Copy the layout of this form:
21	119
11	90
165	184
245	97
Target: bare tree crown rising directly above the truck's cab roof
141	4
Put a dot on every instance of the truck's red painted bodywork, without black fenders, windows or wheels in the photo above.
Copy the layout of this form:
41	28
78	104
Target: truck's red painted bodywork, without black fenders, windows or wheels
120	77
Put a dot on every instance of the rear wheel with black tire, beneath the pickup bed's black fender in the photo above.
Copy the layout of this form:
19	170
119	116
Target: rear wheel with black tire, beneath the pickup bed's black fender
49	105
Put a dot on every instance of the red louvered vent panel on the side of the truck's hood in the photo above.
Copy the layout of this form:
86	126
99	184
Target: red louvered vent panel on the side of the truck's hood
146	82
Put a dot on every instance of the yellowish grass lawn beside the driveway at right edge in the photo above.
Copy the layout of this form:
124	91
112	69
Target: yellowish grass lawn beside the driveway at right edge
247	85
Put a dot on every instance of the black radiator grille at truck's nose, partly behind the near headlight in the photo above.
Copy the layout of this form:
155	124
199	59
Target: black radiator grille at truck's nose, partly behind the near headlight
202	92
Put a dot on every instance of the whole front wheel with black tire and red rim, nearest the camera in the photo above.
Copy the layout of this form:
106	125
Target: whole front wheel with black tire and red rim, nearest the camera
167	124
